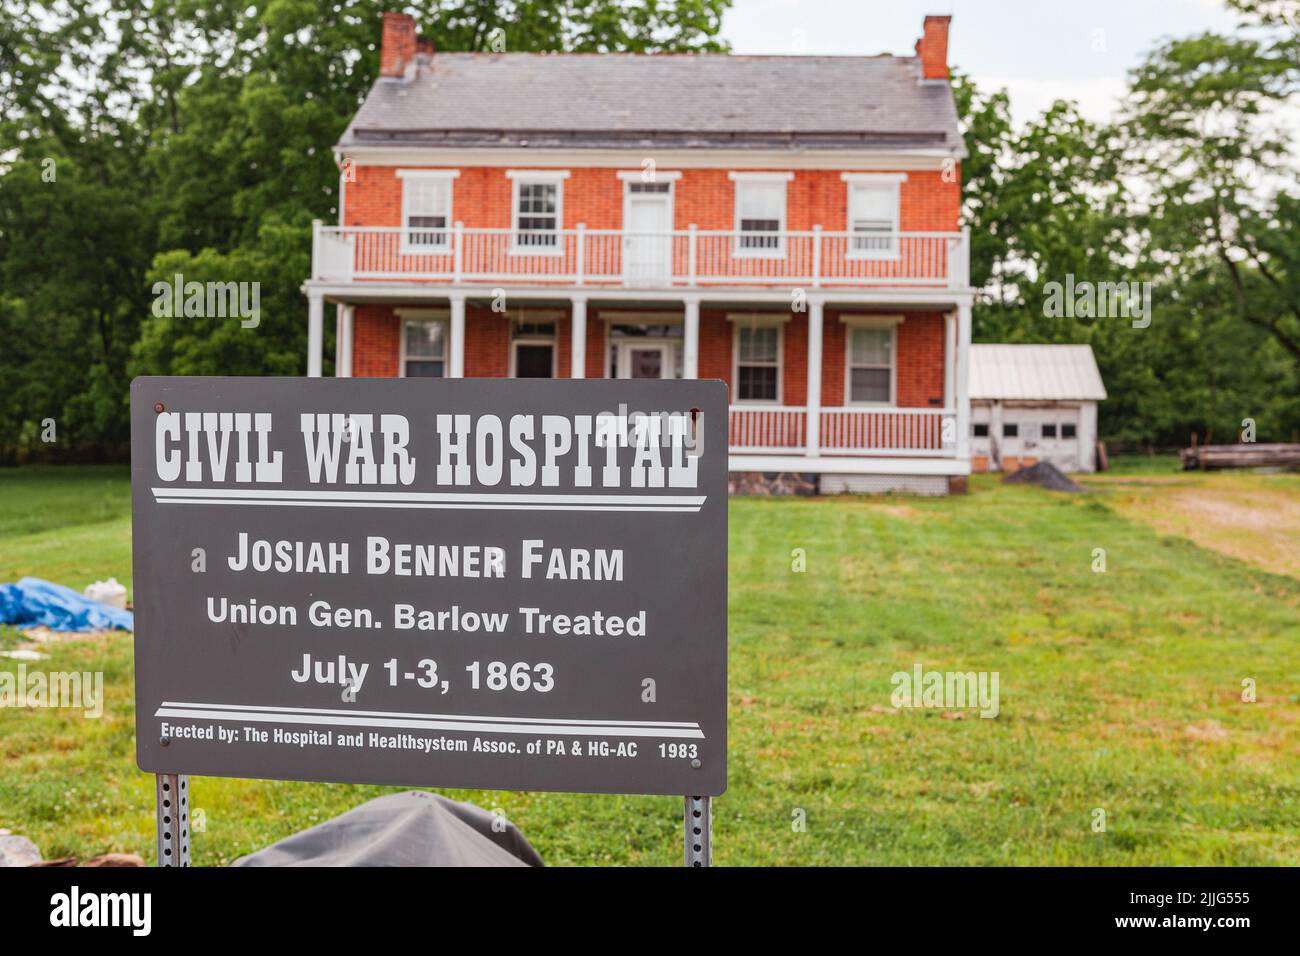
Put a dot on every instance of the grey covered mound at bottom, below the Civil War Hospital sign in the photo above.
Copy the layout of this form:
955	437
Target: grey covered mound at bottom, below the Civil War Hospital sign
413	829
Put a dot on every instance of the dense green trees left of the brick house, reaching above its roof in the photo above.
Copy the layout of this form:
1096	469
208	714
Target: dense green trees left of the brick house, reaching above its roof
196	139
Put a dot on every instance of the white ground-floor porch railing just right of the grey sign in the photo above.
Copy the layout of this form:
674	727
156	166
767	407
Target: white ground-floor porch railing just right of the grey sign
844	431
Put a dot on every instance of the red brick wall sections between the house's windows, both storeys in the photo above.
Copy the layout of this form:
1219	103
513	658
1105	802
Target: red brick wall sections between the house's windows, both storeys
482	198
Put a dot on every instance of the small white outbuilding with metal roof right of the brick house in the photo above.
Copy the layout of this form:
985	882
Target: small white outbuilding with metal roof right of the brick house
1033	404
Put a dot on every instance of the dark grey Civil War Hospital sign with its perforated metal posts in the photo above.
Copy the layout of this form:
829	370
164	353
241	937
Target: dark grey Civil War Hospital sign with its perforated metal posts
502	585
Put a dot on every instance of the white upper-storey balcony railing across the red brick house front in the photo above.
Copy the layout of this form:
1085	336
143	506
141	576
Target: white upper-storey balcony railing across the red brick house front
690	258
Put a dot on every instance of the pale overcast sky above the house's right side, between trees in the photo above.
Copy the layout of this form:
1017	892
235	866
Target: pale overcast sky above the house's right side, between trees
1039	50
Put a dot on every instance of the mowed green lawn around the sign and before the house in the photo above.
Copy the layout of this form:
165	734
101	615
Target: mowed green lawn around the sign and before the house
1121	691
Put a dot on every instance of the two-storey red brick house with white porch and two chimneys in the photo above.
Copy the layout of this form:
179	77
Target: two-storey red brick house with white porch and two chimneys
786	224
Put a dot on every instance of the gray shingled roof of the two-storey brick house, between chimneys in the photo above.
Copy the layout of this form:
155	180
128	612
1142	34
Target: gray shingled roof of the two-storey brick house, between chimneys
666	101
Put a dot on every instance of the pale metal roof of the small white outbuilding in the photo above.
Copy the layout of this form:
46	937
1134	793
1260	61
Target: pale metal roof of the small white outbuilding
1035	373
